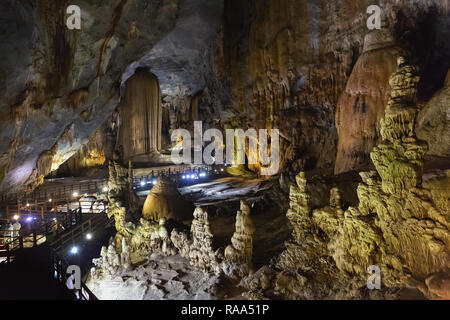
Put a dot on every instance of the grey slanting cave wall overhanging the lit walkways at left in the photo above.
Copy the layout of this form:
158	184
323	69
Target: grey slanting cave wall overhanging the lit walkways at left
59	85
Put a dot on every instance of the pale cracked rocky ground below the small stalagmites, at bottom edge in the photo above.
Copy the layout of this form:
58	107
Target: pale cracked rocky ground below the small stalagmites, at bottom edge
168	278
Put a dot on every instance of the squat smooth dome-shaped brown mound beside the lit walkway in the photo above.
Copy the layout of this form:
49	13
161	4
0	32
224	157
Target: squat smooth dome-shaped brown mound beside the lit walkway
165	201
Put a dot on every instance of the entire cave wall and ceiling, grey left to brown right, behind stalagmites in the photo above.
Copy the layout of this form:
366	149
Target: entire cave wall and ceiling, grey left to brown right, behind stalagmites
310	68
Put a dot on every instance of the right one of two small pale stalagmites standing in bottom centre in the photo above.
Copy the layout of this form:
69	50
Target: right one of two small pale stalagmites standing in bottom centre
240	250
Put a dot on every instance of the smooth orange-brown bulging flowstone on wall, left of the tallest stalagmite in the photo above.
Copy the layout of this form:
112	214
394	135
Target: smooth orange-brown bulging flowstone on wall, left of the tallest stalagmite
361	105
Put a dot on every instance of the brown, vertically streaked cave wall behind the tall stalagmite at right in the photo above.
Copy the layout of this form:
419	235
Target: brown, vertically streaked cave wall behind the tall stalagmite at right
314	70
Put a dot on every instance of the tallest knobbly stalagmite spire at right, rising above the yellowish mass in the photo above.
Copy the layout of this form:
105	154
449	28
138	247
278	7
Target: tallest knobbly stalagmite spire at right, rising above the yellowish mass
399	158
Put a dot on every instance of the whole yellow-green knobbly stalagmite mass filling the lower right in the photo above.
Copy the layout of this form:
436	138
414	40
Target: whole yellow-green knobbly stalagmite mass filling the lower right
400	225
